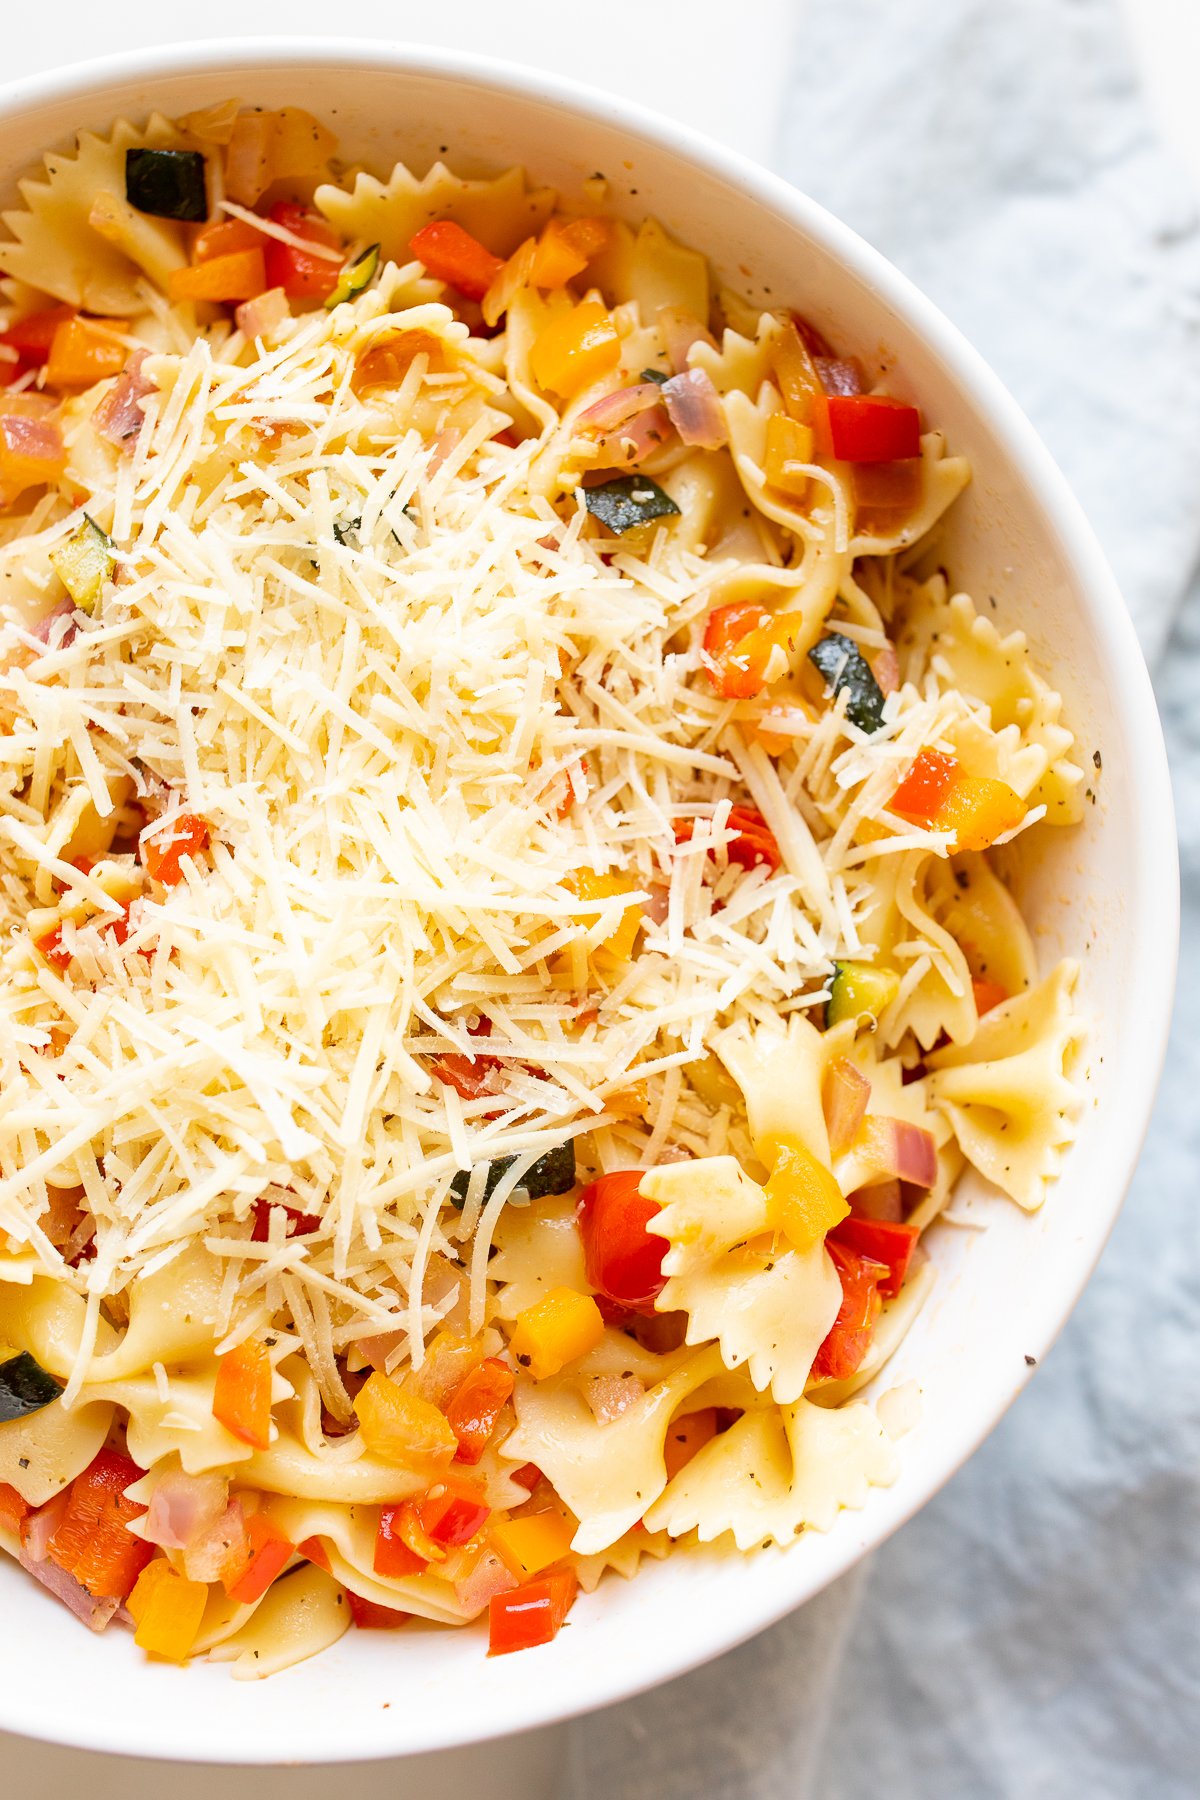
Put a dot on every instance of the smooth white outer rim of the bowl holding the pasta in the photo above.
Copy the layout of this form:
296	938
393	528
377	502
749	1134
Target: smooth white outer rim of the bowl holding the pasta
1154	868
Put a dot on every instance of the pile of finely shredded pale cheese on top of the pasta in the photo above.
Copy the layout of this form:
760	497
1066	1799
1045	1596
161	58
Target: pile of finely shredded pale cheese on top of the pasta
413	703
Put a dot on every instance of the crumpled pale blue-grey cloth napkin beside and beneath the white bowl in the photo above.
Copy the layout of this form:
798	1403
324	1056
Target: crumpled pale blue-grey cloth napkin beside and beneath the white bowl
1034	1632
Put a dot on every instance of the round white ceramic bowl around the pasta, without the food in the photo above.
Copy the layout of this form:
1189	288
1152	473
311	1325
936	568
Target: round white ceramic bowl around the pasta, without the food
1107	894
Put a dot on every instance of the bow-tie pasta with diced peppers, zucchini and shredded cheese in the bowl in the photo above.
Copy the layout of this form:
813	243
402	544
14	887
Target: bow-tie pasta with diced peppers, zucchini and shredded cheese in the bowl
505	953
